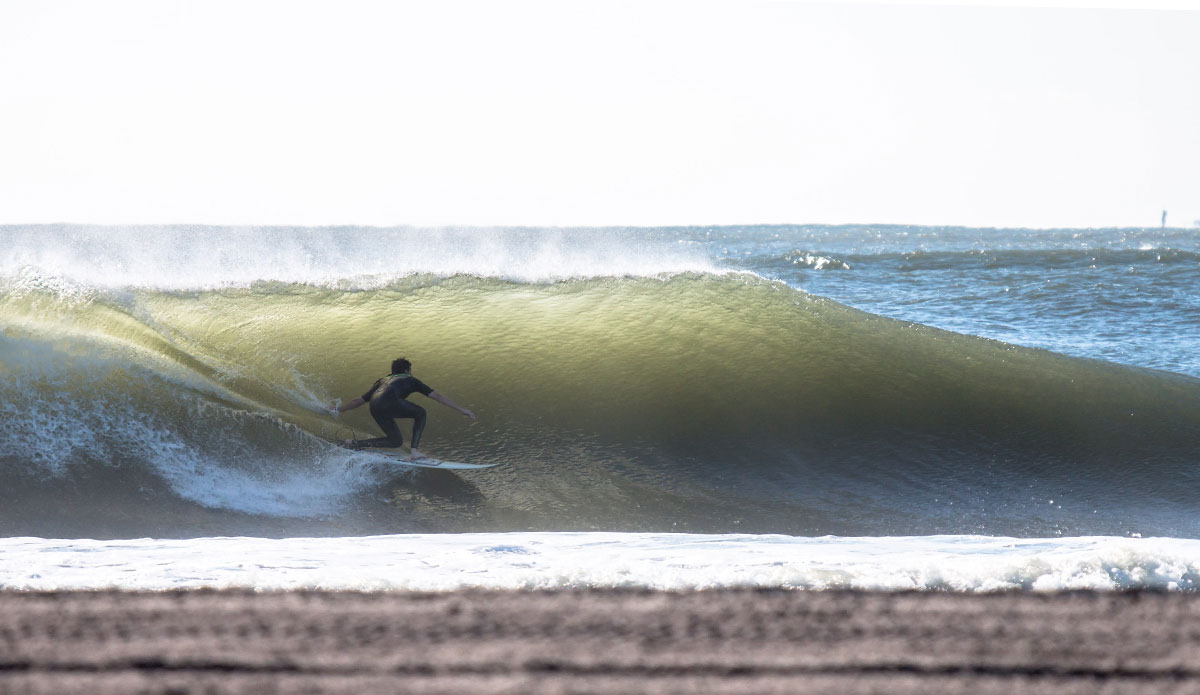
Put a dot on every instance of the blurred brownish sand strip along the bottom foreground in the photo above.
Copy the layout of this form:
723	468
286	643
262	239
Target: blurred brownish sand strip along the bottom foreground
599	642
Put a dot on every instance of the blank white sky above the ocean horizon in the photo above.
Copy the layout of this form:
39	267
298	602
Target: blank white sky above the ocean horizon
1059	113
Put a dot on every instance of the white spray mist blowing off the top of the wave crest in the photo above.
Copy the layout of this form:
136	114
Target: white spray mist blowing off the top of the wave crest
178	259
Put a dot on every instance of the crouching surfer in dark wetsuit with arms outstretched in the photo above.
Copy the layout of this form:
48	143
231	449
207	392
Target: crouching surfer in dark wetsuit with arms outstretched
388	399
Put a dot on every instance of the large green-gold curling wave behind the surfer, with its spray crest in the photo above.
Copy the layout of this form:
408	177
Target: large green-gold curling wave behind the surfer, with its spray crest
656	399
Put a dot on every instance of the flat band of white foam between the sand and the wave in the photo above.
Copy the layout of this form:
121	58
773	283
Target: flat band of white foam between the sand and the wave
443	562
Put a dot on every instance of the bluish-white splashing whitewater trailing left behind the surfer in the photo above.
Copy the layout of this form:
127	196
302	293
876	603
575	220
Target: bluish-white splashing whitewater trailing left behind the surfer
57	412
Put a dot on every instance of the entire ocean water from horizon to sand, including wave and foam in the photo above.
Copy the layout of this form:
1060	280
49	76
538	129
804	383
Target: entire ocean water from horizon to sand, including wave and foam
797	406
